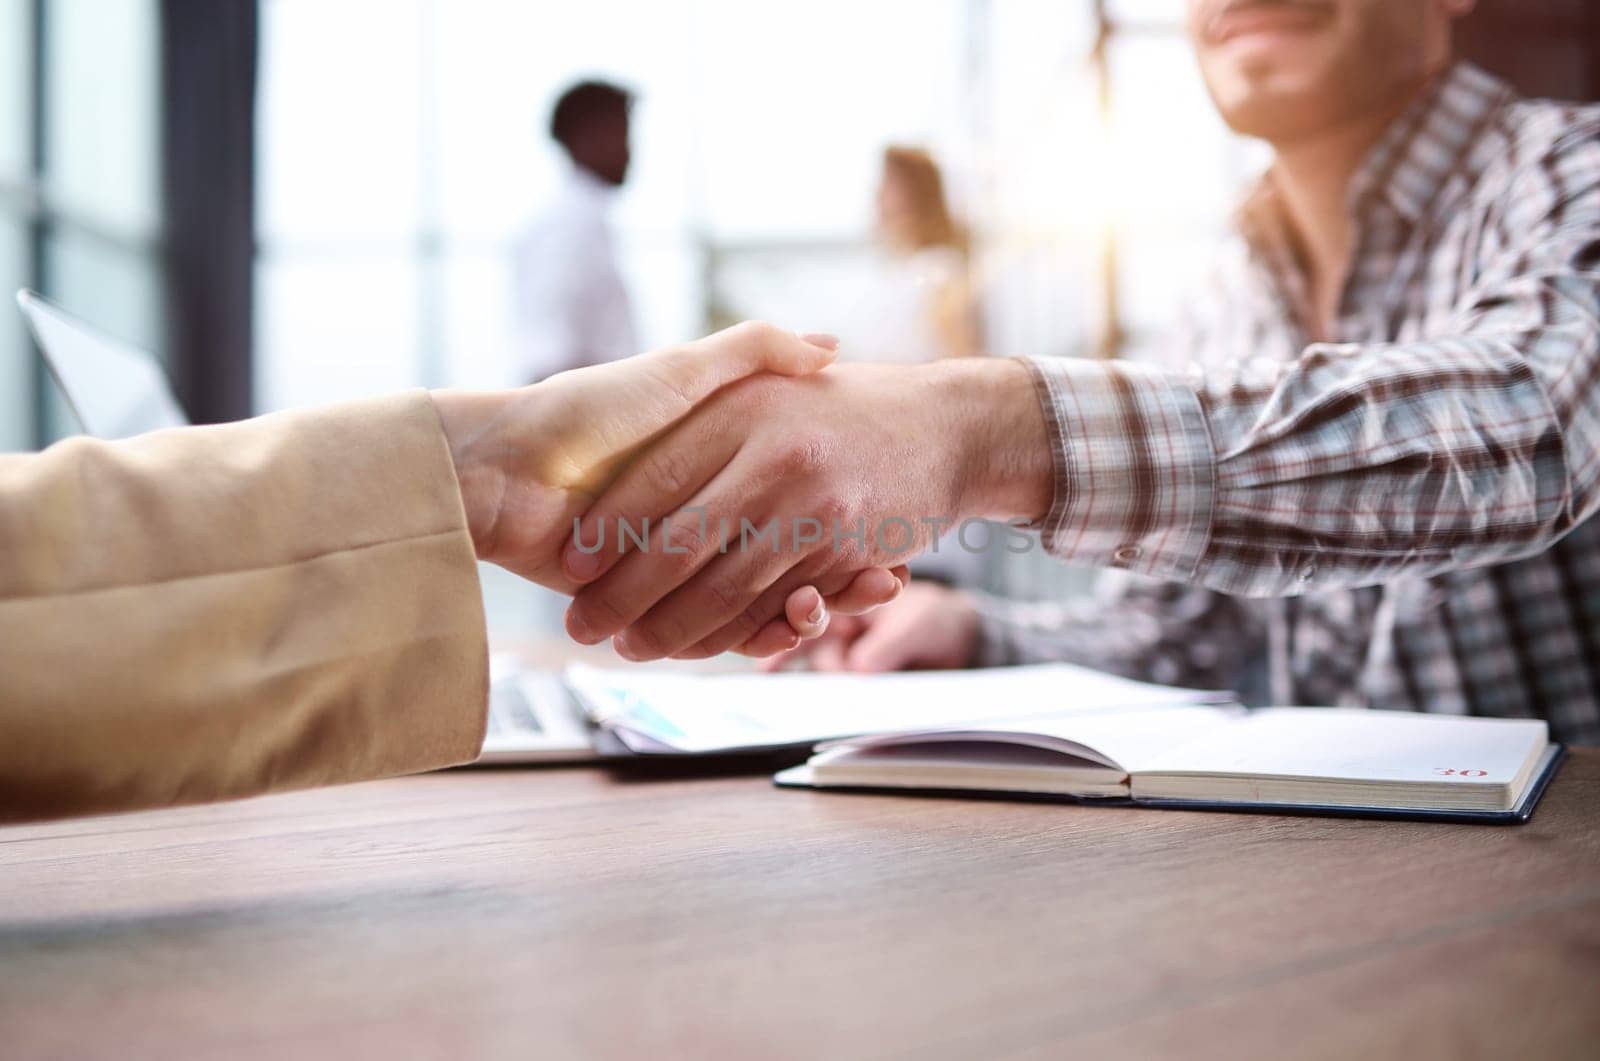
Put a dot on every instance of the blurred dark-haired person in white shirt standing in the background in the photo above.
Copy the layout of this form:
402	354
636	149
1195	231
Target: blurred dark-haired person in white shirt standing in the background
572	305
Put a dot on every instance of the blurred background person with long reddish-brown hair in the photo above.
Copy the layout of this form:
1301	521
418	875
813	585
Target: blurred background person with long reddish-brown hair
921	308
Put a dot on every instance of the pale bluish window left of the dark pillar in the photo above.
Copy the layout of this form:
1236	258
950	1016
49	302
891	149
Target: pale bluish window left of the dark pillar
79	185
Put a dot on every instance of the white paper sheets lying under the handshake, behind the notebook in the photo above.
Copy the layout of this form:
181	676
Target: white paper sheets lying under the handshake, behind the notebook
708	713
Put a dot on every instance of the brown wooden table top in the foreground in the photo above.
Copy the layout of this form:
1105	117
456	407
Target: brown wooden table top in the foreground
559	913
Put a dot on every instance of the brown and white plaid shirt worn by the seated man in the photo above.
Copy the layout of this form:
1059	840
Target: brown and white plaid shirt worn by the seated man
1398	519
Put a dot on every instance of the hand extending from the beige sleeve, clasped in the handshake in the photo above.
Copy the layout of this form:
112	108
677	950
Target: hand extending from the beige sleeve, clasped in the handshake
532	460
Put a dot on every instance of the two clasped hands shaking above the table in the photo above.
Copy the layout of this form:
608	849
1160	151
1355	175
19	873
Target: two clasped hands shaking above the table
730	494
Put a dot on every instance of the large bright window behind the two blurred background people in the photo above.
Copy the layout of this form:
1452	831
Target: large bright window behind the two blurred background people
402	148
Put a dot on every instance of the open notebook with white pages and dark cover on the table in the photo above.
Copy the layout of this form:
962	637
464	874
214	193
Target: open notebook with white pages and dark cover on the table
1286	759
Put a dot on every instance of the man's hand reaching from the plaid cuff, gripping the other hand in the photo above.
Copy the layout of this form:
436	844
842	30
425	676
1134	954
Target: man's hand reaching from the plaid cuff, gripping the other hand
887	455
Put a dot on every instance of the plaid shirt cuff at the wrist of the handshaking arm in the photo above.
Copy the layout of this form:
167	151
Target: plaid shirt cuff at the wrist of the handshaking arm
1135	470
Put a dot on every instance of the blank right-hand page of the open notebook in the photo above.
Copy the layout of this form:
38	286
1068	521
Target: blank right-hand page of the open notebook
1346	745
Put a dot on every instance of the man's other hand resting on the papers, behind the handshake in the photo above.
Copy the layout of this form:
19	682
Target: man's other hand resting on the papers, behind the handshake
930	628
